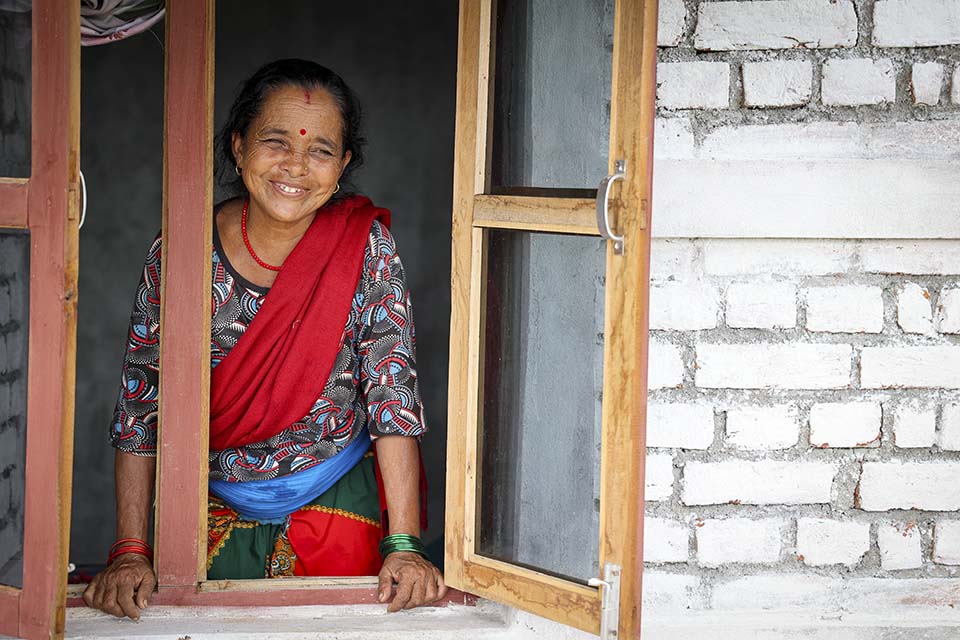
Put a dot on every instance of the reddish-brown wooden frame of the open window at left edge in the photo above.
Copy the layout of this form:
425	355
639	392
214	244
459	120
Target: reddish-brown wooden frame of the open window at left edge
47	204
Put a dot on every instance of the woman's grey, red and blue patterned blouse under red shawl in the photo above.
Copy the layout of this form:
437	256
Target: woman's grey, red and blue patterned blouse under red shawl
373	381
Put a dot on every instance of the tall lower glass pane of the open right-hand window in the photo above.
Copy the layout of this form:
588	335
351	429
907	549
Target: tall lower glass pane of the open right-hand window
541	401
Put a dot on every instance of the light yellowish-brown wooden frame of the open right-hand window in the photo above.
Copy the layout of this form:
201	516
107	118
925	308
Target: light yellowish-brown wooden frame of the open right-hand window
476	210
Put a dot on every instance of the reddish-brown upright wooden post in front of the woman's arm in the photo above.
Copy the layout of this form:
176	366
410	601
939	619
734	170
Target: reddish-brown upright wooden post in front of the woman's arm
181	515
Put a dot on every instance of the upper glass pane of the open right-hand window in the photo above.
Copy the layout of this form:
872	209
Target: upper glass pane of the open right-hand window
552	93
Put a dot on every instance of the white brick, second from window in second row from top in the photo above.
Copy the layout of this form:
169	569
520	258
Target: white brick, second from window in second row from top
779	83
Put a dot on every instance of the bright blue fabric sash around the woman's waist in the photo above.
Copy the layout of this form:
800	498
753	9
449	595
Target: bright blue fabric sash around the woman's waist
271	501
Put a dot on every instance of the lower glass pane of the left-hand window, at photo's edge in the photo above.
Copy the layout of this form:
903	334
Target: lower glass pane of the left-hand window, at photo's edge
14	324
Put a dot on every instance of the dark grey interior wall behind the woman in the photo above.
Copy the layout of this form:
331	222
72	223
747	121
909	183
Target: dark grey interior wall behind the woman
401	60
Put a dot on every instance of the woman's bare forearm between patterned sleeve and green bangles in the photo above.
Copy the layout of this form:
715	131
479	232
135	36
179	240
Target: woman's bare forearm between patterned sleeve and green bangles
399	460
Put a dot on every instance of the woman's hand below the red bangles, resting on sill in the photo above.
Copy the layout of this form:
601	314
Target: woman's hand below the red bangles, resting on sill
123	588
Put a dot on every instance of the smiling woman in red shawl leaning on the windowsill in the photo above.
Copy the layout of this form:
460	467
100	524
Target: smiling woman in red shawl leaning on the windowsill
311	362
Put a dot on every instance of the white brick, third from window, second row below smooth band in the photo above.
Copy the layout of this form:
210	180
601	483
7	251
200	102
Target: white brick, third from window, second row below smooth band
845	309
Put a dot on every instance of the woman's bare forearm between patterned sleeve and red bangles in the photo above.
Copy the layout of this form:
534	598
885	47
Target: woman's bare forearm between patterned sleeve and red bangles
135	477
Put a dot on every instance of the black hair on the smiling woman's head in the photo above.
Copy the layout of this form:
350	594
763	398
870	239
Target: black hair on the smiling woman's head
297	73
